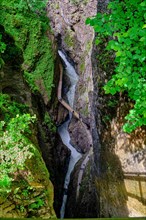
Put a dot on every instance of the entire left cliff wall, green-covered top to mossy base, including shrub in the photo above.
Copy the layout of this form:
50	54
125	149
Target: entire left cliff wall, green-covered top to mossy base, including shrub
25	89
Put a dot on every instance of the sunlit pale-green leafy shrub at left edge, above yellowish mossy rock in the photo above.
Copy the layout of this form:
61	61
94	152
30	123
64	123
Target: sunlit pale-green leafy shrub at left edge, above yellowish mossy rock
15	146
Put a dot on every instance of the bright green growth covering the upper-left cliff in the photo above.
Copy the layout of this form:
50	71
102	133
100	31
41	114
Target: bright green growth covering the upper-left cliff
26	22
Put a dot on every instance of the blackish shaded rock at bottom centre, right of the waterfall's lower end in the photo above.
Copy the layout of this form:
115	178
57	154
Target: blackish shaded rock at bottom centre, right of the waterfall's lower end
86	204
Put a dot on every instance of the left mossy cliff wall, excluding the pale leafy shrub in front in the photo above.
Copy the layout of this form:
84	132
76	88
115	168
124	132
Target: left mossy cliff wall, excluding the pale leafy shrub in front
26	76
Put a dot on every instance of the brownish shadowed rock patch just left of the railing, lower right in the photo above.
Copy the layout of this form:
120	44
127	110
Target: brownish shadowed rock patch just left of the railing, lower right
111	187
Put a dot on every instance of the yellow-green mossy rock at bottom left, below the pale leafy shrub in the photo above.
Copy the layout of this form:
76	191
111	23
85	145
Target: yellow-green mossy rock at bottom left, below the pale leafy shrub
31	192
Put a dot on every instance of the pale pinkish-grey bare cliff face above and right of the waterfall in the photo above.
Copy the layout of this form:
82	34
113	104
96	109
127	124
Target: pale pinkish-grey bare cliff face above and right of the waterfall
68	23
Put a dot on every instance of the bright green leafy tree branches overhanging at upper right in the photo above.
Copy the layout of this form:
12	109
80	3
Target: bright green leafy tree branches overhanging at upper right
125	27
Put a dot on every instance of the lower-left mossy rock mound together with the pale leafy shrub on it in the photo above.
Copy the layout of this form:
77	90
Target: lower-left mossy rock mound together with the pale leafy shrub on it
25	187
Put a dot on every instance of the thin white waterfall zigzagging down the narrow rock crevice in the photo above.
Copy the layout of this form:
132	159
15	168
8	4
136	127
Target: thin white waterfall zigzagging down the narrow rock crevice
63	129
